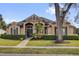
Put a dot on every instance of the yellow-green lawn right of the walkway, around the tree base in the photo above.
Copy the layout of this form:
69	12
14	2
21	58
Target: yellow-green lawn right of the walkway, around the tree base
51	43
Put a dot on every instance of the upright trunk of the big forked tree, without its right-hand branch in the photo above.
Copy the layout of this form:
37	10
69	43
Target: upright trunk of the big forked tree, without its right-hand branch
59	24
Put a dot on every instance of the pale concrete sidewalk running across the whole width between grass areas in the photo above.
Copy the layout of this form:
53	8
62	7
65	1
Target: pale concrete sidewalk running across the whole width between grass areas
38	47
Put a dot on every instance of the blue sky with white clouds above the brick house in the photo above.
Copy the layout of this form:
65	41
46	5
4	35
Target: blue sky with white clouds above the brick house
20	11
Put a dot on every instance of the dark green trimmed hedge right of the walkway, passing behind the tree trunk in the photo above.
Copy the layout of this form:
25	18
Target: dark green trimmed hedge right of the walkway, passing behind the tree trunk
53	37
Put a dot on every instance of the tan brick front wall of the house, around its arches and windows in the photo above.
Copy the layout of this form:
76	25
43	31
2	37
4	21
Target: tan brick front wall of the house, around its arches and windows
51	27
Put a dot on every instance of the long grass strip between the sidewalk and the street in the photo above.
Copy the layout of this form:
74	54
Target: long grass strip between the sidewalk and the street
40	51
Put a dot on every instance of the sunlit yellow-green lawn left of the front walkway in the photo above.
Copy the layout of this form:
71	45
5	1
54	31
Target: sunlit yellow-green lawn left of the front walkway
6	42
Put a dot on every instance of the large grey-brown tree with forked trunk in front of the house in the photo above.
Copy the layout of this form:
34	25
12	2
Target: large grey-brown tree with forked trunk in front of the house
60	14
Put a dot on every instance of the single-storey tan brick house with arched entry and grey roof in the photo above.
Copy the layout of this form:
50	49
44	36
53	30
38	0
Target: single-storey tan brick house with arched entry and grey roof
28	25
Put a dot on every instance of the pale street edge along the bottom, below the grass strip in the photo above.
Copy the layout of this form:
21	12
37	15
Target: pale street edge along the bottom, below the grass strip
2	54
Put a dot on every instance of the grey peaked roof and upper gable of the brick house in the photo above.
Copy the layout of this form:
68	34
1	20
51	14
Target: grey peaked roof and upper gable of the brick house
34	17
